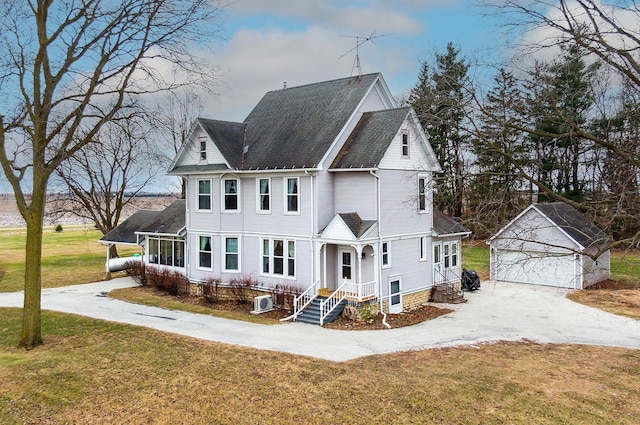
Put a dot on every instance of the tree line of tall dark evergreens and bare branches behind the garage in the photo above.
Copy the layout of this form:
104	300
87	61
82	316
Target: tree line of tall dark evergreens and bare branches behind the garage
562	127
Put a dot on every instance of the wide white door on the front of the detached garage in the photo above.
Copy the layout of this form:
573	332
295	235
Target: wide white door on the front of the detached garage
535	268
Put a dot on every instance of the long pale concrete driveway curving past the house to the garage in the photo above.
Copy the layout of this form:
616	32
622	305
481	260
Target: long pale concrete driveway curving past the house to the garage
499	311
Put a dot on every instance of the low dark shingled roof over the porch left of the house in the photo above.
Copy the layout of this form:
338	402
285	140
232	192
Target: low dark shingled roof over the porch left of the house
168	221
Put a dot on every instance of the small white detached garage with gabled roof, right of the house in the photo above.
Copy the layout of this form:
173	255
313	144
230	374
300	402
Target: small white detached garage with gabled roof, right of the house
550	244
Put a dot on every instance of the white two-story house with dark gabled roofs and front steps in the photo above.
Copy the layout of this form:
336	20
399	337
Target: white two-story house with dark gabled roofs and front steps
327	187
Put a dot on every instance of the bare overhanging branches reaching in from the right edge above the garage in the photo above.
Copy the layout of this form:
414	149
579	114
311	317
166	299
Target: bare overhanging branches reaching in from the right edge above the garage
609	34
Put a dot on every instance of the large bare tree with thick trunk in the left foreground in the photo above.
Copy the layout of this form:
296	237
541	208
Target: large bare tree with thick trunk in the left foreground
70	66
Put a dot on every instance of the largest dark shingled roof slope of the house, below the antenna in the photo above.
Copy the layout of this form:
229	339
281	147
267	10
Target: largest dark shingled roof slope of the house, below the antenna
294	127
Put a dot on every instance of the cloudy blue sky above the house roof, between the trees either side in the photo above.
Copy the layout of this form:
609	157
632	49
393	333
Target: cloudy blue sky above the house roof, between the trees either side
268	42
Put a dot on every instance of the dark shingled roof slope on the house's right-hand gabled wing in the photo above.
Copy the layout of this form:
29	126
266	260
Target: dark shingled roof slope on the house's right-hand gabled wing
370	139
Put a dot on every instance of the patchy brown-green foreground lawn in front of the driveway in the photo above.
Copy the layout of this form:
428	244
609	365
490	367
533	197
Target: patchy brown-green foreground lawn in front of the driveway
96	372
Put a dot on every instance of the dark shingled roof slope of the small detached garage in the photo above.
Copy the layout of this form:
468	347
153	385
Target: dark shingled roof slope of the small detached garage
572	221
